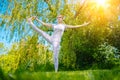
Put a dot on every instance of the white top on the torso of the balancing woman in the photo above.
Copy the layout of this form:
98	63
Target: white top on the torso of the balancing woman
58	31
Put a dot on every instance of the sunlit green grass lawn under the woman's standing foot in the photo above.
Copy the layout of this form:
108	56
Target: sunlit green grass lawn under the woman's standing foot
70	75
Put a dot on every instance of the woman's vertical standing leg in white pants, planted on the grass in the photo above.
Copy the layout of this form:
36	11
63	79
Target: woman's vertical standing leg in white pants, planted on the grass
56	47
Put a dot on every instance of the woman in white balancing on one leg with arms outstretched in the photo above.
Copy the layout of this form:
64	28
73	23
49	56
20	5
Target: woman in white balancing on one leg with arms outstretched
55	39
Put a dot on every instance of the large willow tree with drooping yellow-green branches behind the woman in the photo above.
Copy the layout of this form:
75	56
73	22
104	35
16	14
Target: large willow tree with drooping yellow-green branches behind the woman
78	45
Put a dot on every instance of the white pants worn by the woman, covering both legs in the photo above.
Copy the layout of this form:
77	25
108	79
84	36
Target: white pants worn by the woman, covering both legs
56	44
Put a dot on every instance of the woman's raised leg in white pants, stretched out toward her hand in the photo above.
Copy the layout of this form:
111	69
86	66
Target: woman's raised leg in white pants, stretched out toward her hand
44	34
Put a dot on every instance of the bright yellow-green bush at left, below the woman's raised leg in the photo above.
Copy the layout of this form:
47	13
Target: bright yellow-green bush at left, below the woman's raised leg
27	56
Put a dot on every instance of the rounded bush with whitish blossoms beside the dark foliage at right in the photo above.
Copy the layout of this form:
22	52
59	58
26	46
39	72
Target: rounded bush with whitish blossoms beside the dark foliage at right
106	56
